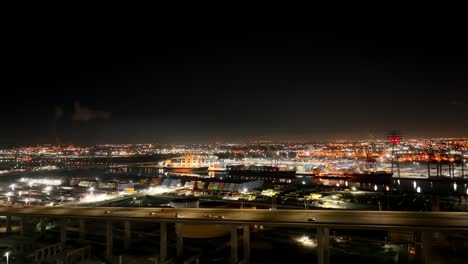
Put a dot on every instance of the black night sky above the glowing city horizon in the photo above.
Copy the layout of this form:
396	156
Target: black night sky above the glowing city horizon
107	73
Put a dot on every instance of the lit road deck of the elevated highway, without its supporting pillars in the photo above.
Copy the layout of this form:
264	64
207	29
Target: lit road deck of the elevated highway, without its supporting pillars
334	219
